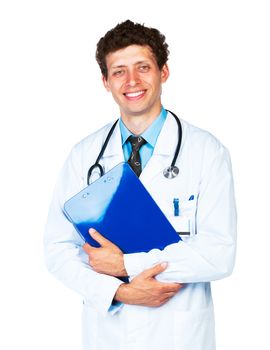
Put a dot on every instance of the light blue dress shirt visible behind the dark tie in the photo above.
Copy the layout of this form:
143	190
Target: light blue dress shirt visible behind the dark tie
150	135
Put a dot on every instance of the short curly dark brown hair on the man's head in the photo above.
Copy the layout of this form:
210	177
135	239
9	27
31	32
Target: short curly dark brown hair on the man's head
130	33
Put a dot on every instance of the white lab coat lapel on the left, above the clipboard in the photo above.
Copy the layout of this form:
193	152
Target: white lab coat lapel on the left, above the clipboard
113	154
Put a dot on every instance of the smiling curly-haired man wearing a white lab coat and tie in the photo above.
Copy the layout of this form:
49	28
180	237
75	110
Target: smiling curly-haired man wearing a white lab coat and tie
168	303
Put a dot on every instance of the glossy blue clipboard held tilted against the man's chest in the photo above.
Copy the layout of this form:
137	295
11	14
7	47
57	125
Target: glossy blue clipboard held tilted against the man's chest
119	207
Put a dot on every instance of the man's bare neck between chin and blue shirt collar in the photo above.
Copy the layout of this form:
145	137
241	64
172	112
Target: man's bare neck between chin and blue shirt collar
137	124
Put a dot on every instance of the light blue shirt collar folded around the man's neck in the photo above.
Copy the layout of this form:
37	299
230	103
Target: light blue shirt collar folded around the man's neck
150	134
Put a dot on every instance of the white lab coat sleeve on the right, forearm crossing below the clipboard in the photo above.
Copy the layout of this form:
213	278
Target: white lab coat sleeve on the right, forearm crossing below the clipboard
209	254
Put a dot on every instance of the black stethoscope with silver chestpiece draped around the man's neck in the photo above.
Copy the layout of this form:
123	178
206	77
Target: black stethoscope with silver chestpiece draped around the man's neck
169	172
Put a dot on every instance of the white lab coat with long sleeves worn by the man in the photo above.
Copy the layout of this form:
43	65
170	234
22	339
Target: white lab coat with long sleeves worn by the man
187	321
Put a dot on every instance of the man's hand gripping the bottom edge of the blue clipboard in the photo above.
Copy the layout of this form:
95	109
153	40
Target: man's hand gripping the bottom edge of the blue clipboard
108	258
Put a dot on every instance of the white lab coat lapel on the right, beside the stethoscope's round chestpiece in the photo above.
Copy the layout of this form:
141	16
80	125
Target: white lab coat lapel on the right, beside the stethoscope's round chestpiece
163	152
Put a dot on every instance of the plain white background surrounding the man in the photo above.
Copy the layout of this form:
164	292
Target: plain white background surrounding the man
52	96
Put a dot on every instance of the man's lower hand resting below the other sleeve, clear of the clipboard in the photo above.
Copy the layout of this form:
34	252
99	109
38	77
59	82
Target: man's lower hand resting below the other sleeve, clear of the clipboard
145	290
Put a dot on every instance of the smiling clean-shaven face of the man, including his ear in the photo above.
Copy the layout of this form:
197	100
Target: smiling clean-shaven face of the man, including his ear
135	80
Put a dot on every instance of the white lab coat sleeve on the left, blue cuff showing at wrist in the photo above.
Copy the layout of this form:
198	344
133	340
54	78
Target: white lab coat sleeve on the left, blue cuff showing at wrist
64	255
